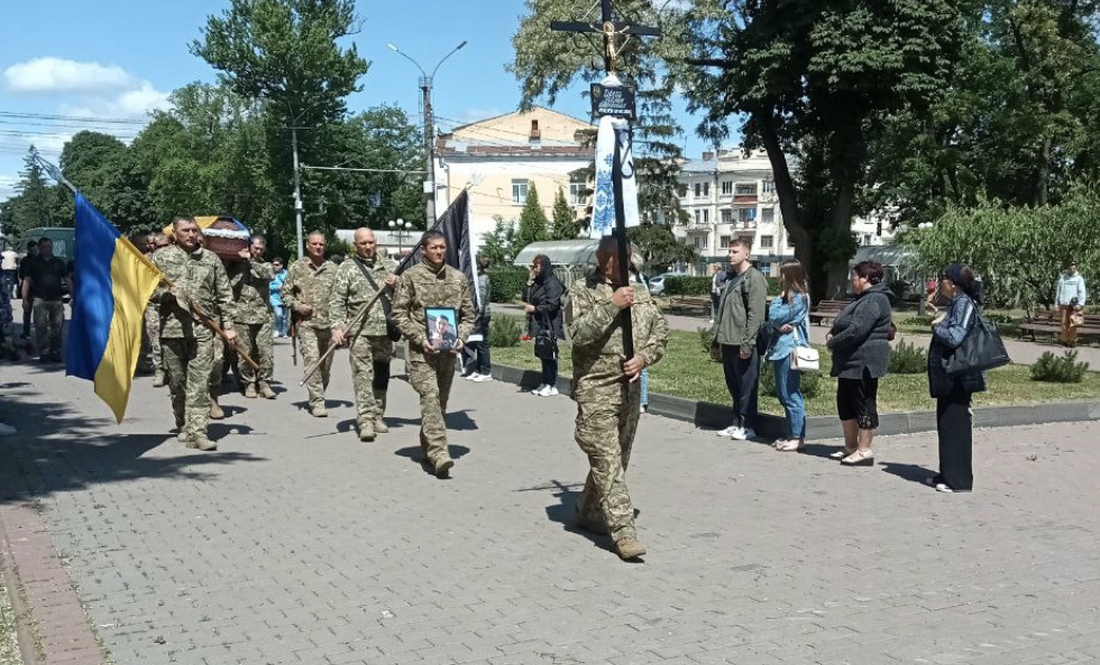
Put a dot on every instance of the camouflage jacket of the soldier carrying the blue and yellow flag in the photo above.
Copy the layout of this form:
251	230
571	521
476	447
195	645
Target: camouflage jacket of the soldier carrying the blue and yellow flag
200	276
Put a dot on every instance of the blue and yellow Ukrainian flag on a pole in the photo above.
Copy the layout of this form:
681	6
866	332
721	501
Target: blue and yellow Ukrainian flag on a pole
114	283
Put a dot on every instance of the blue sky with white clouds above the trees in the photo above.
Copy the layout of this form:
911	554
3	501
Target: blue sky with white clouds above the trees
65	62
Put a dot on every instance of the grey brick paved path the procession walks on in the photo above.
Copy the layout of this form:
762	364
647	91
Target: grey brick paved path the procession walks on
295	544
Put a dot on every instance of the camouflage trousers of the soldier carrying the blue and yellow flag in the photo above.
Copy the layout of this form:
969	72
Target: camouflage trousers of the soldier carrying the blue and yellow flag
188	362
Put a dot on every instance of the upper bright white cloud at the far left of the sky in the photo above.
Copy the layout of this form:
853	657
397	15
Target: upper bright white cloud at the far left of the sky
56	76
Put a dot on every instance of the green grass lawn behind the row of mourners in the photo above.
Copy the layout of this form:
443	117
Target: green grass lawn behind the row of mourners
687	372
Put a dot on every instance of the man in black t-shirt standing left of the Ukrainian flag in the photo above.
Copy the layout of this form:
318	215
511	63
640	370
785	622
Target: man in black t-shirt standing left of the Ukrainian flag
43	289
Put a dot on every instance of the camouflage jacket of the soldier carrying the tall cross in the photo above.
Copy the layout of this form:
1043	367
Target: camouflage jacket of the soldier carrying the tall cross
595	329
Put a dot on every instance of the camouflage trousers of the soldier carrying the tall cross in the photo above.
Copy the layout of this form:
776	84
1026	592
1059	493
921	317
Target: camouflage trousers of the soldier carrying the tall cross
606	429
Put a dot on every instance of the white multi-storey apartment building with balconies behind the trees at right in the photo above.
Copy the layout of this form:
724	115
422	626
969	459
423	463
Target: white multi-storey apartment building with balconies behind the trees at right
732	195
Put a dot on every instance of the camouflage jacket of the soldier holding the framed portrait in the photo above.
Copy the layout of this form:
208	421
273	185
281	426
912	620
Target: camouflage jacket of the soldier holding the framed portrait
424	286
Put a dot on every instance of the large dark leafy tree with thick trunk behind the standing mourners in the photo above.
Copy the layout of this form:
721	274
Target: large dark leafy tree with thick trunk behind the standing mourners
815	93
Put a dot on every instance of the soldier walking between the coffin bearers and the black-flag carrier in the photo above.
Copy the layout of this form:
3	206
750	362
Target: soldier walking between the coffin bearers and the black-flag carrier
306	294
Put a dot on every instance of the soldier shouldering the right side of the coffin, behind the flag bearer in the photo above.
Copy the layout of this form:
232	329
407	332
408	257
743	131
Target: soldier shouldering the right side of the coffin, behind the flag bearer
254	317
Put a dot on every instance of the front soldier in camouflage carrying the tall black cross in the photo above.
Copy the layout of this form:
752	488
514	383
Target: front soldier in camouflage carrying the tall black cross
608	392
